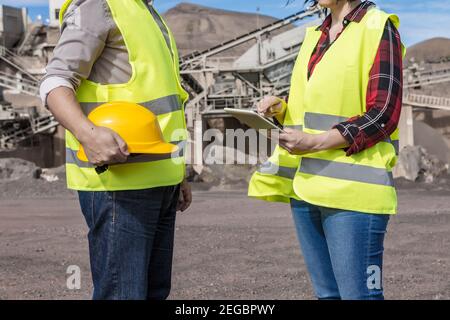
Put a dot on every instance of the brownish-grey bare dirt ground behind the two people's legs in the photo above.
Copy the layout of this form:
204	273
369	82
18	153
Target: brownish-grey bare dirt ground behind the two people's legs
227	247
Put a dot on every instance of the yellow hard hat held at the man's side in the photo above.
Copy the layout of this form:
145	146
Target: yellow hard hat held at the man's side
135	124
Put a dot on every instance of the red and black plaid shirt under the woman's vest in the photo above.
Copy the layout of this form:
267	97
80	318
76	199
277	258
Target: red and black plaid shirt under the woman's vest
384	92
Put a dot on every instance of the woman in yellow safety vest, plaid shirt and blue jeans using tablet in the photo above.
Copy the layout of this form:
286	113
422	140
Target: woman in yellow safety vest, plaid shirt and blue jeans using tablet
340	145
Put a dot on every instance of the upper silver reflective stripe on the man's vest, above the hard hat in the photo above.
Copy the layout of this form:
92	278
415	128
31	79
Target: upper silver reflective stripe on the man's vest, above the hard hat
158	107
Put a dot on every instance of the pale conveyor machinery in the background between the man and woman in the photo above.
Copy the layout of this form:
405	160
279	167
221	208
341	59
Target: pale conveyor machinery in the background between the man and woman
216	81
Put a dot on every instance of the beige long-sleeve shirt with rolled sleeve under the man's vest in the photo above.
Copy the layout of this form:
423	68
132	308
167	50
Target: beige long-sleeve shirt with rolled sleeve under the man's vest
90	47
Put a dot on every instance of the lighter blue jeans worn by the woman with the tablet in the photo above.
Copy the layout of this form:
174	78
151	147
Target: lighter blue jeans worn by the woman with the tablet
343	251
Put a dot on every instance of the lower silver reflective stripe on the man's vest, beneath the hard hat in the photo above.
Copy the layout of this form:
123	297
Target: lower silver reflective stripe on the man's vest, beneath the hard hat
71	156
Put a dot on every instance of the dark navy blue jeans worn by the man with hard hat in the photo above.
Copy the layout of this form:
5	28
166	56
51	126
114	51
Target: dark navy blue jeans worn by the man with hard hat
131	236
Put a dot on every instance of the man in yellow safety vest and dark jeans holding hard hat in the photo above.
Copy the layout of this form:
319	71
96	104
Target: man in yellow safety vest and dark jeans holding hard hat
114	51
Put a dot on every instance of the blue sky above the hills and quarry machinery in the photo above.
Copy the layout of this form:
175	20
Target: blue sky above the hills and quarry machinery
420	19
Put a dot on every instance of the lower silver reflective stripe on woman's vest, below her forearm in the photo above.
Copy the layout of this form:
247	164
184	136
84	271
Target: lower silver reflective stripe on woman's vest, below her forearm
345	171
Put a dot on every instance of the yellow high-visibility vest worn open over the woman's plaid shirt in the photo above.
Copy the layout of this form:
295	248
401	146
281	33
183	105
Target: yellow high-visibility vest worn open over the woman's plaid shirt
335	92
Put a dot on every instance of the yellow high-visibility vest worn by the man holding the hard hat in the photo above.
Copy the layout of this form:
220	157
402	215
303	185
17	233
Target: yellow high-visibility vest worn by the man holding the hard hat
154	84
